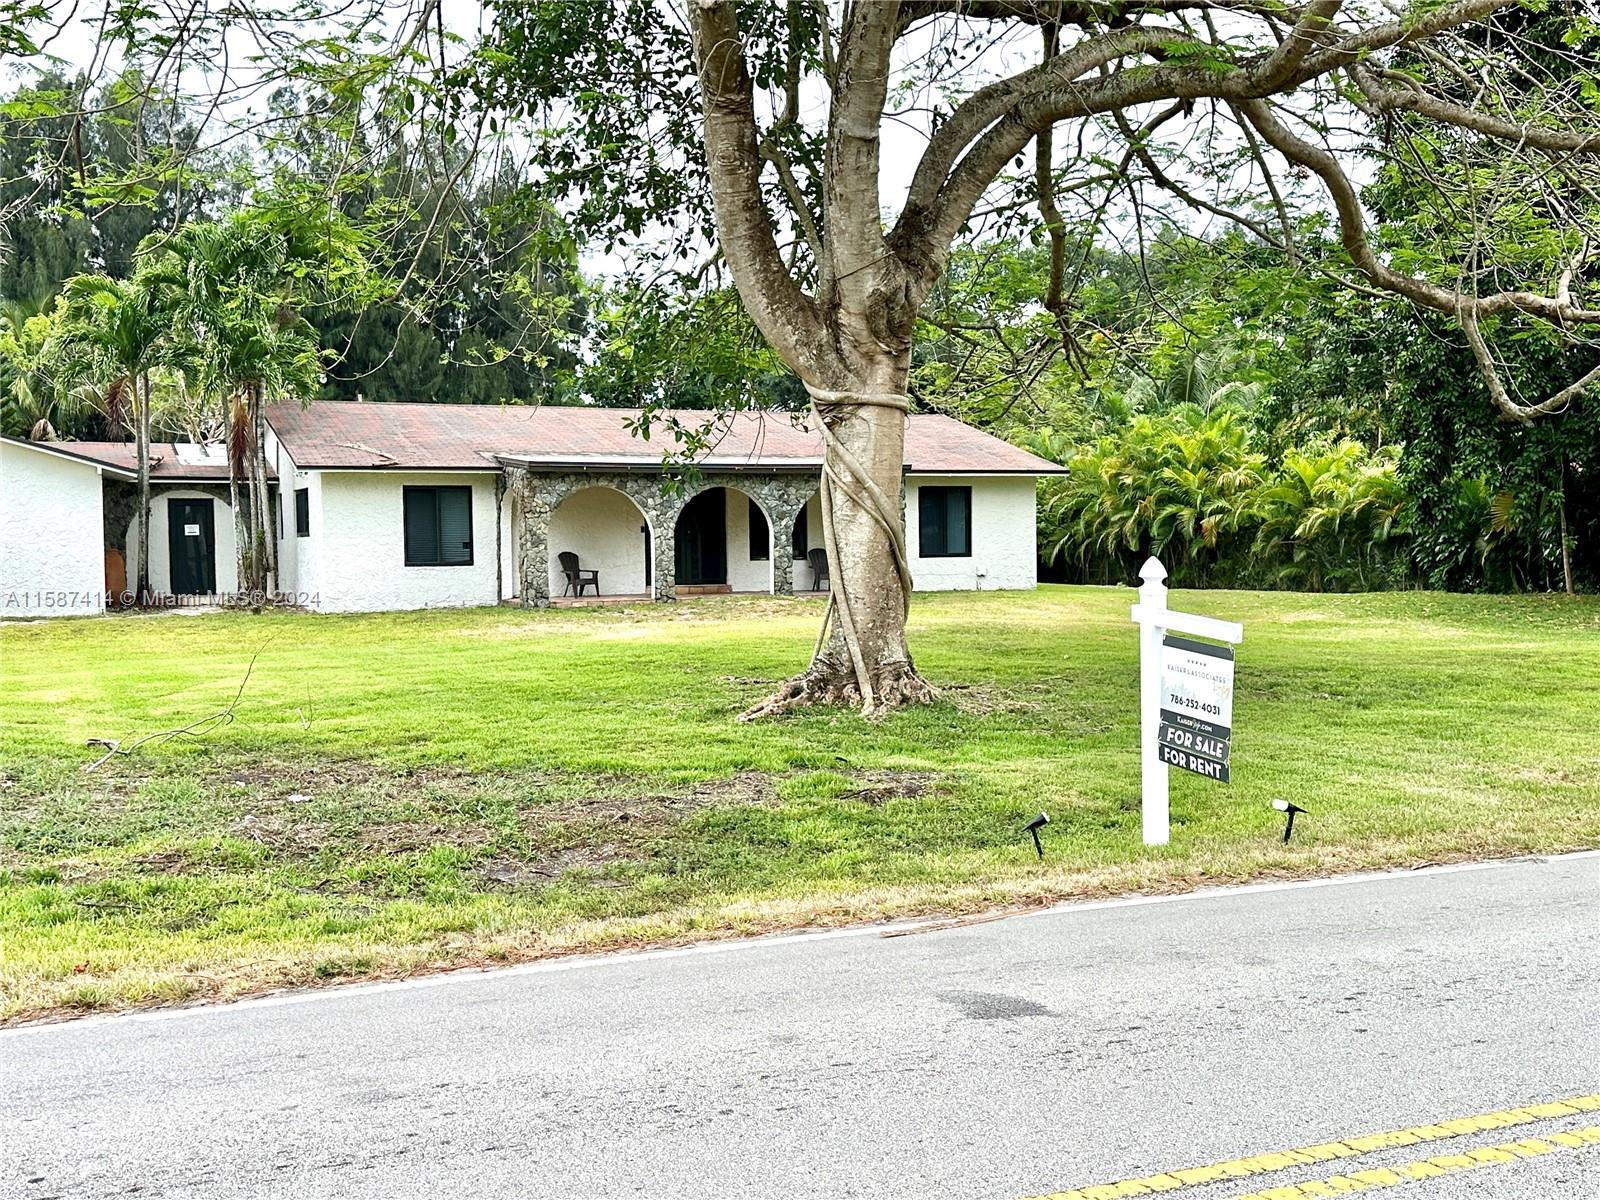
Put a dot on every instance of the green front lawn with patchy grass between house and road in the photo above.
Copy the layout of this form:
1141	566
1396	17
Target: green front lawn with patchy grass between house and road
402	793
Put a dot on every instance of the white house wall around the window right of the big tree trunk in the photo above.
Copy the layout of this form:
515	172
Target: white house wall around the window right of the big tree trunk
1004	537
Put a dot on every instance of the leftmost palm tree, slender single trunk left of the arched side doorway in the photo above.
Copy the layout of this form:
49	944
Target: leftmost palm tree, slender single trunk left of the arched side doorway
114	334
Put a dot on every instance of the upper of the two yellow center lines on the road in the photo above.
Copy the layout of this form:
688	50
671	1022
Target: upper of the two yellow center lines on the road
1351	1148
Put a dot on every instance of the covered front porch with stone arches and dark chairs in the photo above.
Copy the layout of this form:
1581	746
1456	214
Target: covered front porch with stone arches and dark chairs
614	537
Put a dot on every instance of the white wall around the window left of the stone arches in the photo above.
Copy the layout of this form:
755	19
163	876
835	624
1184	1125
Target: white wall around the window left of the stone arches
358	561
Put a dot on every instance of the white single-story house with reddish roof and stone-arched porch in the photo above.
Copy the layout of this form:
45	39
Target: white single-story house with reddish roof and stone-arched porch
393	506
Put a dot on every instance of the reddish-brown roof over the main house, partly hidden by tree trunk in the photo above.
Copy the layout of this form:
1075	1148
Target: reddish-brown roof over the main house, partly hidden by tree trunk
367	436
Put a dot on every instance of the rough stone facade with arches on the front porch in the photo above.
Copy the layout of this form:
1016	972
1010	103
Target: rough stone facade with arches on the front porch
538	494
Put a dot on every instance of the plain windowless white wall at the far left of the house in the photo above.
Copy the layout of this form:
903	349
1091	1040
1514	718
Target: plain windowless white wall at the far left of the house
52	540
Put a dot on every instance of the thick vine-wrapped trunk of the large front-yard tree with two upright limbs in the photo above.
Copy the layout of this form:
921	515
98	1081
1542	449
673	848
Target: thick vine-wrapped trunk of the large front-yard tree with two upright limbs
850	345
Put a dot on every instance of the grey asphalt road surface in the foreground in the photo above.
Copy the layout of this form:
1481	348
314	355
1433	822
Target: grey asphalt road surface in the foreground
1009	1058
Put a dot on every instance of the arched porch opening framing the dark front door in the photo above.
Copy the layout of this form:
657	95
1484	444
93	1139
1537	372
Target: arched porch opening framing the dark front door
724	543
